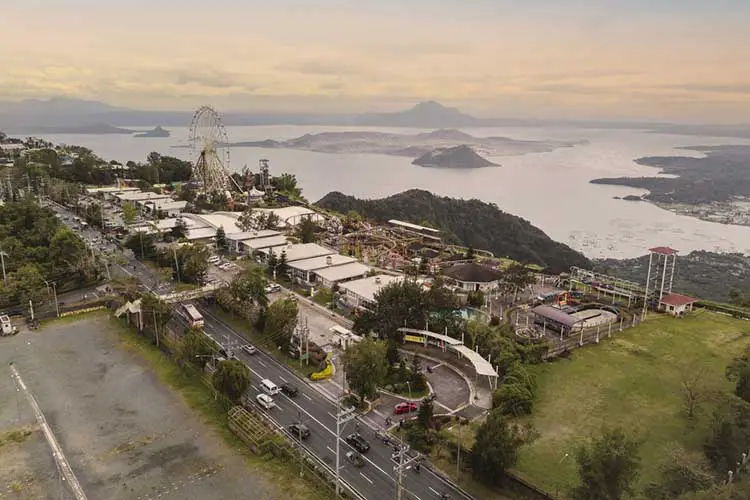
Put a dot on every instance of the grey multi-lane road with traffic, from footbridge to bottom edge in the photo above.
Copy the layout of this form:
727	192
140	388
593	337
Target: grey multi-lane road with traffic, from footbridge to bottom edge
376	480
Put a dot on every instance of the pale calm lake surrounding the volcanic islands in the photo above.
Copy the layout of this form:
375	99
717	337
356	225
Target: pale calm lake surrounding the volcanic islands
551	190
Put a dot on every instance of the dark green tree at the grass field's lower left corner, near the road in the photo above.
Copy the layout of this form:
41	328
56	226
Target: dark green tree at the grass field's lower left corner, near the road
496	448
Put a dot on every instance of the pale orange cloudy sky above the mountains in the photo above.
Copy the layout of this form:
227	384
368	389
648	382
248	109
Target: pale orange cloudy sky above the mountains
682	60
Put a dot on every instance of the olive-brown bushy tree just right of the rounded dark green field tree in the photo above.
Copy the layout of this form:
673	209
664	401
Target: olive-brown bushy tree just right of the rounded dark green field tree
682	473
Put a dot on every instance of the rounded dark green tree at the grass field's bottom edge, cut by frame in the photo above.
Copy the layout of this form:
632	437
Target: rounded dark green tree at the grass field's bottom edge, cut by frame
608	466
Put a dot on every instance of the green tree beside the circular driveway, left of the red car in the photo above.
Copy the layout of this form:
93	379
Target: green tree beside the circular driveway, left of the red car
365	367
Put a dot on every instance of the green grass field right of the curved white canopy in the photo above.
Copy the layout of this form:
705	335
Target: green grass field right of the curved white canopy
634	381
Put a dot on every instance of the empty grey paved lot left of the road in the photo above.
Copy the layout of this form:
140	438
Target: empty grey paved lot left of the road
125	435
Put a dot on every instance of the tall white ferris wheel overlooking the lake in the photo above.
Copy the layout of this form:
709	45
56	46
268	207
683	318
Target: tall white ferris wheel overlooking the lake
209	147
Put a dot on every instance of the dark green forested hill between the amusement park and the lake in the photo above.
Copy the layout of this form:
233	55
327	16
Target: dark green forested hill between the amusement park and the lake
467	222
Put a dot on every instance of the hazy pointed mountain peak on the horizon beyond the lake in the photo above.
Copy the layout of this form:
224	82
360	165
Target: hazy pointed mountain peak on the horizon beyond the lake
429	114
